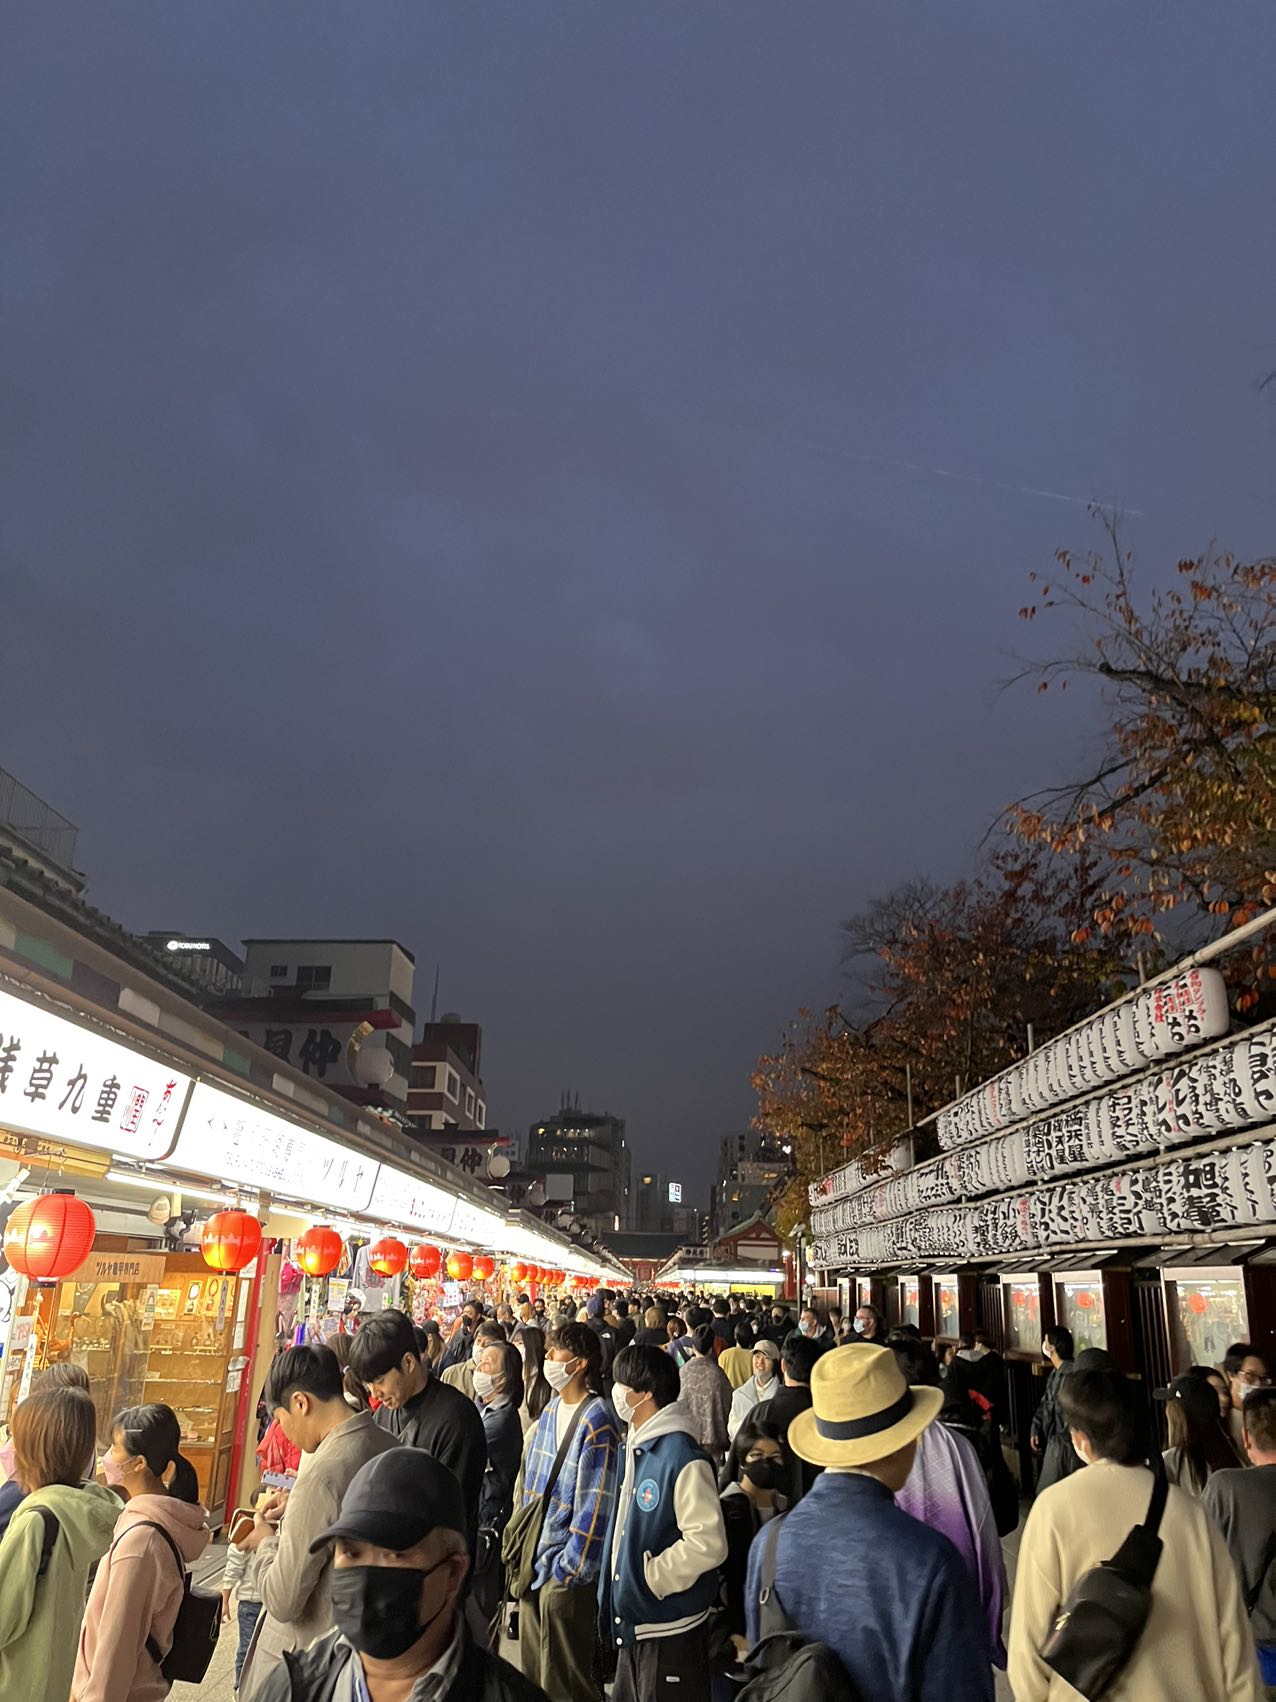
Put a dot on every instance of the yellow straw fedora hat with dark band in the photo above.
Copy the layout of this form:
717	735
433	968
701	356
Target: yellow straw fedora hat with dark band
862	1408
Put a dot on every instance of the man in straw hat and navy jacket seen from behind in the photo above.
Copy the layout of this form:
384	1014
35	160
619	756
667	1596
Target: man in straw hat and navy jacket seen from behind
887	1594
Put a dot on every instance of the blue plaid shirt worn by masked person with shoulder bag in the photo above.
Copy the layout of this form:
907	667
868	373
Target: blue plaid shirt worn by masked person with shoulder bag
576	1522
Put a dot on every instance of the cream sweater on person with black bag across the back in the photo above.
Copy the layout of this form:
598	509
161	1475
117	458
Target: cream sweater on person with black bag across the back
1197	1645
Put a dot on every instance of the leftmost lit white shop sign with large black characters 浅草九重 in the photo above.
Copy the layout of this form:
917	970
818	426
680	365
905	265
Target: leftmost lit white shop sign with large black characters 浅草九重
71	1083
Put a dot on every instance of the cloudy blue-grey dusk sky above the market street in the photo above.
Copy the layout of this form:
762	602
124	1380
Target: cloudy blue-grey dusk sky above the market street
472	474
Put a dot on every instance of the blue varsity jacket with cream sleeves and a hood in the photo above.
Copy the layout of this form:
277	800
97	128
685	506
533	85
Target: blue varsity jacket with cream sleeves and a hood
668	1536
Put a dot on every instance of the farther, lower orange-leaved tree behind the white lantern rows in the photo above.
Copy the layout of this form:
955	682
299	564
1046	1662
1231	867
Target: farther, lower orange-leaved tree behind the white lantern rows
955	978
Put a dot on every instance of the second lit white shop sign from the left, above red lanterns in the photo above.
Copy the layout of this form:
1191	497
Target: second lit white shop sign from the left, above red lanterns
229	1138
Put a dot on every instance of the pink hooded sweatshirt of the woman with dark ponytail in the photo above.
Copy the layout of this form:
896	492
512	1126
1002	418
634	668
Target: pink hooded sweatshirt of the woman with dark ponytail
135	1597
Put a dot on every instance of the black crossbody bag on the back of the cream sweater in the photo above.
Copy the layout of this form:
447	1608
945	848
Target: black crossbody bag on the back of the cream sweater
1098	1628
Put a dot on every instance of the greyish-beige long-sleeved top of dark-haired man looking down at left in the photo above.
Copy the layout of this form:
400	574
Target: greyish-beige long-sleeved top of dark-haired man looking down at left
295	1582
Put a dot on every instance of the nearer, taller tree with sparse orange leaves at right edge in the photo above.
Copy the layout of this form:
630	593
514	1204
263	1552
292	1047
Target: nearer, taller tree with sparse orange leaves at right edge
1183	808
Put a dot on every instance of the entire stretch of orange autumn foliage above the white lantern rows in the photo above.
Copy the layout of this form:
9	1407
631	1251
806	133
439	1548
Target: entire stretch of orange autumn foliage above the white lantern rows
1170	840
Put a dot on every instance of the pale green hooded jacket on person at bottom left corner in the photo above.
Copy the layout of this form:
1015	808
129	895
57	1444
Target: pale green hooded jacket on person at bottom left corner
40	1618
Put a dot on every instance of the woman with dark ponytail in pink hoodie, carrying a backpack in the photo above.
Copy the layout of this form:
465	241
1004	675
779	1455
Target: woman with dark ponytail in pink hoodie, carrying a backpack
139	1585
